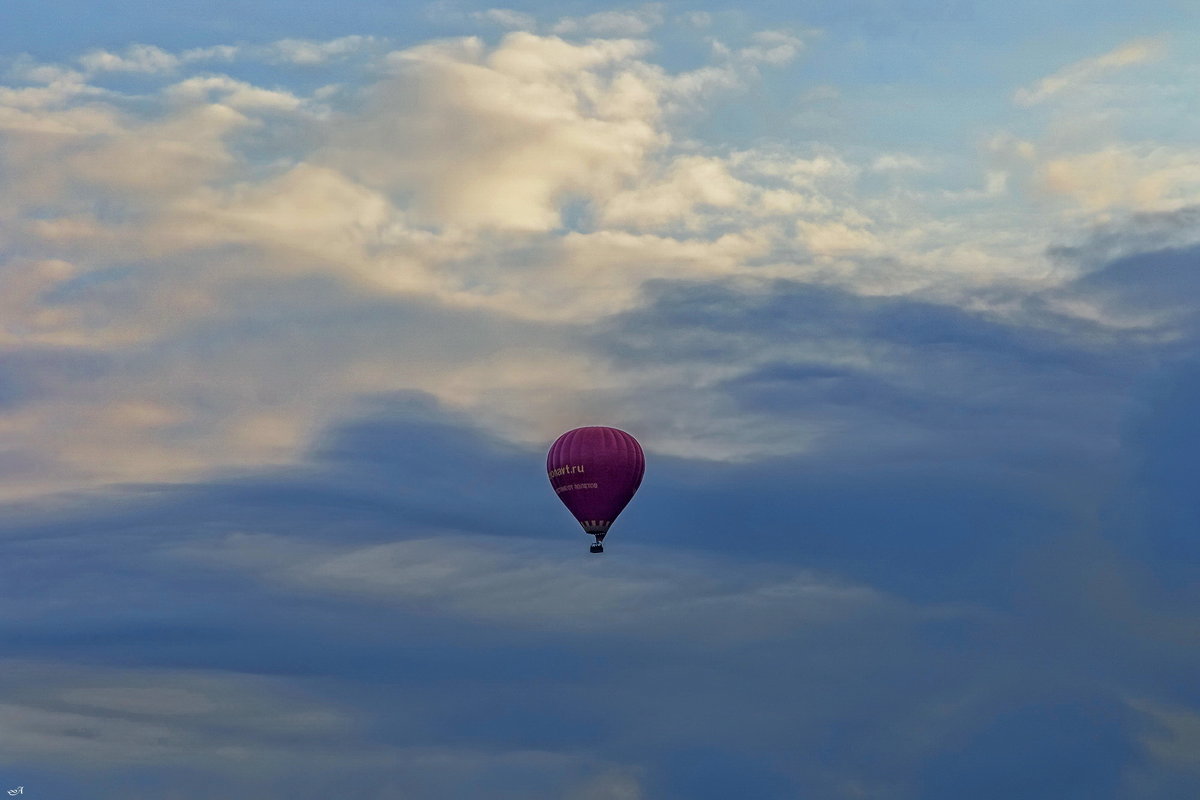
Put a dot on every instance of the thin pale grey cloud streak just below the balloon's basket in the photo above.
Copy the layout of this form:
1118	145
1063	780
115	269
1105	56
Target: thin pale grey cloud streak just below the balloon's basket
529	588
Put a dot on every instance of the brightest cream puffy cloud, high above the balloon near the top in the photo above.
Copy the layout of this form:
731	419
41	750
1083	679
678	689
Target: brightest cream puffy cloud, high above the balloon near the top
502	140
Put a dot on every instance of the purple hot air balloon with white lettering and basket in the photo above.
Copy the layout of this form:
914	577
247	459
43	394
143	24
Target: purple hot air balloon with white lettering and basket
596	472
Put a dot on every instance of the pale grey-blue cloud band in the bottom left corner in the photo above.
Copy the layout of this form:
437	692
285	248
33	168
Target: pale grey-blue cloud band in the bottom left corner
104	727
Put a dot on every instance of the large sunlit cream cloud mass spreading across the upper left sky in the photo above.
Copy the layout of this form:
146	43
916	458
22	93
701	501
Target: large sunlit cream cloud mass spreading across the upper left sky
506	196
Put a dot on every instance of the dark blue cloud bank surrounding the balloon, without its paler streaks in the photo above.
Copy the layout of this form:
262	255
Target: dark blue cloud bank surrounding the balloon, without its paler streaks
1033	561
